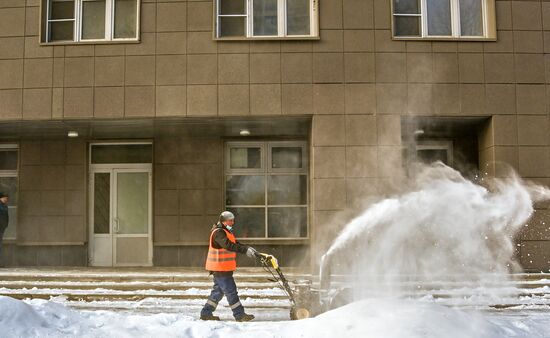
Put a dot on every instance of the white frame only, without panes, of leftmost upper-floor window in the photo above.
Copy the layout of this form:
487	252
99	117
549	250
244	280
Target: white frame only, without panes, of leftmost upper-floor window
77	25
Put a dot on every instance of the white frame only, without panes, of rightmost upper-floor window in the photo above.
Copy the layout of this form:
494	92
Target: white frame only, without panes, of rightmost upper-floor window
487	15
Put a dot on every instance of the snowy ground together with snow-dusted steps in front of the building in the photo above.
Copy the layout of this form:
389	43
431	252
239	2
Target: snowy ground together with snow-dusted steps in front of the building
146	305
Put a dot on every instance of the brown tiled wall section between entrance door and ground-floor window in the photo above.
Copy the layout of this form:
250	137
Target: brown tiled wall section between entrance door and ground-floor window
188	189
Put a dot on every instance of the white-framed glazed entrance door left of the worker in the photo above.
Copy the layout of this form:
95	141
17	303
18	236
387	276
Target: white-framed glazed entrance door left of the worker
120	213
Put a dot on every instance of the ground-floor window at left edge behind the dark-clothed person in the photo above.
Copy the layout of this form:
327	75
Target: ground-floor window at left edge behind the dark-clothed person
9	173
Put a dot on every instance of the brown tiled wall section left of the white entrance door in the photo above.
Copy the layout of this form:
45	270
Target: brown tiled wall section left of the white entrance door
52	199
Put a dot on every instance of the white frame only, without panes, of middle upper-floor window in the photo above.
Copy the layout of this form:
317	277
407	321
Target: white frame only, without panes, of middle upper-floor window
281	22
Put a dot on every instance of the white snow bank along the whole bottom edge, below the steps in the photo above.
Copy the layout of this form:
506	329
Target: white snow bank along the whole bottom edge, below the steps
367	318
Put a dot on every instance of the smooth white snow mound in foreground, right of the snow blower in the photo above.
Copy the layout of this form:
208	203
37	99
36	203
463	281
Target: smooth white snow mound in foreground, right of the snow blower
401	318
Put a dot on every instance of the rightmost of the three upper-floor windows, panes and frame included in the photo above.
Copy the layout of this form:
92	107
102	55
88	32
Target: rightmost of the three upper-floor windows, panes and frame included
444	19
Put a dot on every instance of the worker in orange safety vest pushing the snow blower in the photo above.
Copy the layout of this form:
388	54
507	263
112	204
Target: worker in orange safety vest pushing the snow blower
221	262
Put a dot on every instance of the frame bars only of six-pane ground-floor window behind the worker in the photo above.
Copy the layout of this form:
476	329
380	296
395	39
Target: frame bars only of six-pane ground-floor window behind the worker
266	171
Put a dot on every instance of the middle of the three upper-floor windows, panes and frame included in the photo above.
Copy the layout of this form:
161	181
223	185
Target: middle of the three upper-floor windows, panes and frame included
266	19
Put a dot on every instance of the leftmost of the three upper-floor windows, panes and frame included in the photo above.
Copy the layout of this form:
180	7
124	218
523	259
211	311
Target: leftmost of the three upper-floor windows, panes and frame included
90	20
